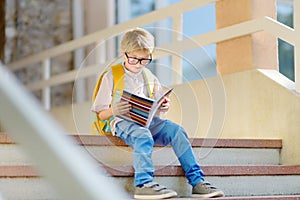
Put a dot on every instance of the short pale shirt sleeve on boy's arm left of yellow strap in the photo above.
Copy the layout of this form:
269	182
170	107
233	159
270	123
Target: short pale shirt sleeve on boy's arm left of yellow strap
104	96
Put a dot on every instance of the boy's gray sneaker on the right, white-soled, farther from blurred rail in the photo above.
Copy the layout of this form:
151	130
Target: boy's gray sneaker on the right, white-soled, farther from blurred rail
206	190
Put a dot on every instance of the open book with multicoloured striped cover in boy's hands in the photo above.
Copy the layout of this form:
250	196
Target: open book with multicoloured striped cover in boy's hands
142	109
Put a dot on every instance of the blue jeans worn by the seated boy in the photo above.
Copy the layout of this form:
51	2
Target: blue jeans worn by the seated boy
162	132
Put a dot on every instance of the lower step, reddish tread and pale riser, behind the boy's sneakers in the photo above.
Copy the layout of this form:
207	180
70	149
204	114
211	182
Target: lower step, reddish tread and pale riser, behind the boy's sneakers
235	181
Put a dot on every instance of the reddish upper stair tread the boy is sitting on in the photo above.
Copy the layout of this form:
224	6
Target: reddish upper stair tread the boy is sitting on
92	140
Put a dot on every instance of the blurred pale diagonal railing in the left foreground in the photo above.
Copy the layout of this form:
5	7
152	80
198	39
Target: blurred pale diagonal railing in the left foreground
59	159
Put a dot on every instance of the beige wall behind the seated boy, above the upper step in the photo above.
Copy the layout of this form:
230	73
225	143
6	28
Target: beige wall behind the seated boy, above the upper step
248	104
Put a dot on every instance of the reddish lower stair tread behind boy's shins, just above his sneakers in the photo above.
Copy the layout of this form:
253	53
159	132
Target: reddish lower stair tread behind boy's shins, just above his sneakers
127	171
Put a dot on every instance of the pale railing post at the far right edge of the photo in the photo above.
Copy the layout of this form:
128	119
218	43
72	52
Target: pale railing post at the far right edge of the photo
297	45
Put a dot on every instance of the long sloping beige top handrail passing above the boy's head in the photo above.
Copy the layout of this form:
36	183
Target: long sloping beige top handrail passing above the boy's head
99	36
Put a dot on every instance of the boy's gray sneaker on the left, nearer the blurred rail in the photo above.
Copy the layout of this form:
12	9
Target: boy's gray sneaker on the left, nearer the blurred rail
153	190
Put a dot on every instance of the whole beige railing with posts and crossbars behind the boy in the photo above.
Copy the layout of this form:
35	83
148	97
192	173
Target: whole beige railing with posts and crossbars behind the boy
175	12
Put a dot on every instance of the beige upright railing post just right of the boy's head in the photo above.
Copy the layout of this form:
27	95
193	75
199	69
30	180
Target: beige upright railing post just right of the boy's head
177	59
